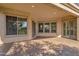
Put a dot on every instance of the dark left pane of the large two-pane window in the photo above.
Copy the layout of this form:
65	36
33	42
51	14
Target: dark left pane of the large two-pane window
11	25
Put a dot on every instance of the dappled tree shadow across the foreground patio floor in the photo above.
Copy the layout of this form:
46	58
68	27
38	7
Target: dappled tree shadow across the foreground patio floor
47	49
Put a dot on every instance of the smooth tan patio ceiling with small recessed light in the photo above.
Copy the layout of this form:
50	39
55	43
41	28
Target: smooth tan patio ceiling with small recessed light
39	10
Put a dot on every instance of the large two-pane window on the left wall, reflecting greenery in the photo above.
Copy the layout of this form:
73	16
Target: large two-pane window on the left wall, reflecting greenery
16	25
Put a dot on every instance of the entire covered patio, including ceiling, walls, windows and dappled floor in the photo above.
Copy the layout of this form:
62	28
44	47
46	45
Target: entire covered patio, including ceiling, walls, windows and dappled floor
39	29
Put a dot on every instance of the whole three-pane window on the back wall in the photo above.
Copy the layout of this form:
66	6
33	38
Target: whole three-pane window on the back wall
47	27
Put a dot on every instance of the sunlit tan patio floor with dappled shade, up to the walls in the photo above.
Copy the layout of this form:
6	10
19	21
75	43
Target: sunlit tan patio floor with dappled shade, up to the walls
45	47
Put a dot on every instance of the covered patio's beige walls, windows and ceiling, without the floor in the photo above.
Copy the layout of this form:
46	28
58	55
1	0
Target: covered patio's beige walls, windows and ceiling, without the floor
28	21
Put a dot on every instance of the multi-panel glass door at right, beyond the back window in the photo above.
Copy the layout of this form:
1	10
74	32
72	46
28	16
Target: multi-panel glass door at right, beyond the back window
69	29
